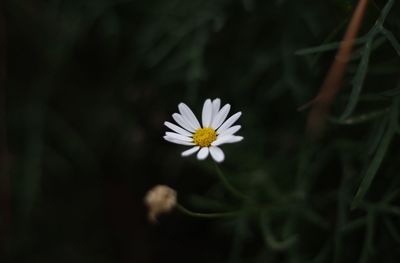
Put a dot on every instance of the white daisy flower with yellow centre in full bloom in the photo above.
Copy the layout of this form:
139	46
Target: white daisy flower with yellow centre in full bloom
204	139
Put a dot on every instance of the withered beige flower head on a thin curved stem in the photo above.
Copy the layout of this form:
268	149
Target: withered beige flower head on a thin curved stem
159	200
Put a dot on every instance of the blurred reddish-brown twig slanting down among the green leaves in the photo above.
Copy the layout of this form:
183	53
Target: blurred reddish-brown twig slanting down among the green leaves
332	83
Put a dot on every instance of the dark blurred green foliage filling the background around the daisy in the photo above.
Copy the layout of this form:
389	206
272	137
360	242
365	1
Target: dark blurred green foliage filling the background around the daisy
89	84
